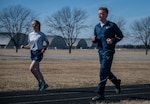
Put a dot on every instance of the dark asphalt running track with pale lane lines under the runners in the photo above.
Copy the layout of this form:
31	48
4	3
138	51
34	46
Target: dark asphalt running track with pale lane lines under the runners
75	95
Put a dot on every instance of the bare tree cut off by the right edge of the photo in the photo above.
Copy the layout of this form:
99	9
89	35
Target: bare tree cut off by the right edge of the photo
141	31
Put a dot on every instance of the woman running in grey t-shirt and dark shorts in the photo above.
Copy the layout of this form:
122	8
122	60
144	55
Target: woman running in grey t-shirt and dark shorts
35	43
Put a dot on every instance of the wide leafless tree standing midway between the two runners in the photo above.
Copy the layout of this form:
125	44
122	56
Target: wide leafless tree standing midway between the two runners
68	23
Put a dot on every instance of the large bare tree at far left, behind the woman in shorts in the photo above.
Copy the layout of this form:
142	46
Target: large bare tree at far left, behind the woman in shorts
15	20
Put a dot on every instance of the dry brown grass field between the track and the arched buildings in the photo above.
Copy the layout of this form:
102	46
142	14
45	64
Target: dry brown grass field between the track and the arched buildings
79	69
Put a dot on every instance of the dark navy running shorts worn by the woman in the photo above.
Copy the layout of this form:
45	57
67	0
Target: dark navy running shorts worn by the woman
36	55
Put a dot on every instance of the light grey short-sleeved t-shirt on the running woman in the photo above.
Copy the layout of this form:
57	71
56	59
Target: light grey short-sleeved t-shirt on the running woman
36	40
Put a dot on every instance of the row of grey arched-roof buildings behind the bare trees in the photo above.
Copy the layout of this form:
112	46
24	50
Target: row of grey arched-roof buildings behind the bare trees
56	42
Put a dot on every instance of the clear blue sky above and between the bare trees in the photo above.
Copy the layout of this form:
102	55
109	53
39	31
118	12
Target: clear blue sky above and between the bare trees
129	10
